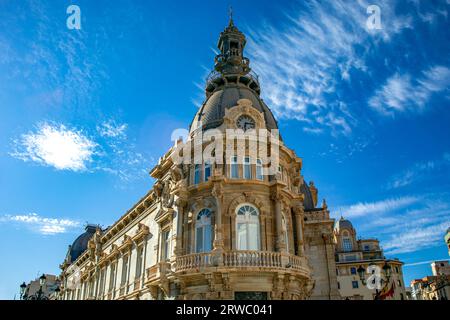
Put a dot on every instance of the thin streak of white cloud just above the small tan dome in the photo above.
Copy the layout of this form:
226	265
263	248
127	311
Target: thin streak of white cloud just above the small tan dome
380	207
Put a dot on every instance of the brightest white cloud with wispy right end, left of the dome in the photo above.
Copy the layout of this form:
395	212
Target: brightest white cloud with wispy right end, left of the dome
108	150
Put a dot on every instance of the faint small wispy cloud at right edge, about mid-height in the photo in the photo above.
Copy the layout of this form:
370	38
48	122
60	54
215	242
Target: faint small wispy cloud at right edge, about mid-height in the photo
419	172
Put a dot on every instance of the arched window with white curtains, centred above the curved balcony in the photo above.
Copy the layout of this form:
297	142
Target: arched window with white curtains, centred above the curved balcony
247	228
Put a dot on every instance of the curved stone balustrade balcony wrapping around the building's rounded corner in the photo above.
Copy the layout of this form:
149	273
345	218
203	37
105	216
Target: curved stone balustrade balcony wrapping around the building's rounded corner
257	260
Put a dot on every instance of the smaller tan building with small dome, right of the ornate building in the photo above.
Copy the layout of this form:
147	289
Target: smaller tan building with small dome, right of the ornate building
358	261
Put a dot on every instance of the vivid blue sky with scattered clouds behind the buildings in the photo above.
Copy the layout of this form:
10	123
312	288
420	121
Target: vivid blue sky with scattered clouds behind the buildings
86	113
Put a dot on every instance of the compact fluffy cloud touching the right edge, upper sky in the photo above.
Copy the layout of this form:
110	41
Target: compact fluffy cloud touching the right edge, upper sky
401	93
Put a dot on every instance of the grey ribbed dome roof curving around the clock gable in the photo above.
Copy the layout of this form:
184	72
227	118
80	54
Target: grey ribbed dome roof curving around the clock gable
212	112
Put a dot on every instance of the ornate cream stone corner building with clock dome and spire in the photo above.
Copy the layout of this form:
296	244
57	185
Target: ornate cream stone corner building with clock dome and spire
215	231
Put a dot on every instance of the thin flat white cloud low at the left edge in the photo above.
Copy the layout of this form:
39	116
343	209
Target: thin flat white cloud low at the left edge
43	225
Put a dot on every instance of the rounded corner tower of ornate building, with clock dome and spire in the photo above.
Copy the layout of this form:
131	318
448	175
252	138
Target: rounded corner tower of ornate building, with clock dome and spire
243	227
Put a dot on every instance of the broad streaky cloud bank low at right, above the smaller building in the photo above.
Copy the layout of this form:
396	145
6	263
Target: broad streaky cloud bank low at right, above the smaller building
405	224
